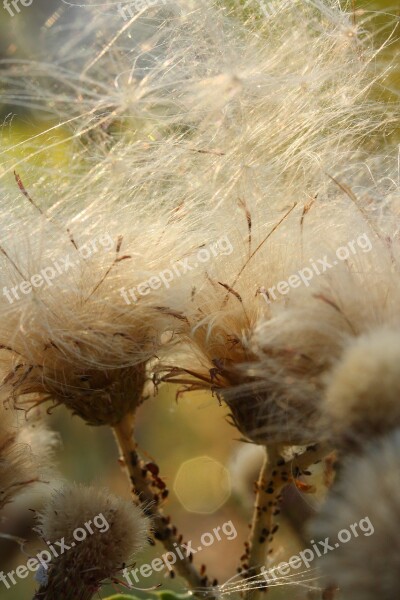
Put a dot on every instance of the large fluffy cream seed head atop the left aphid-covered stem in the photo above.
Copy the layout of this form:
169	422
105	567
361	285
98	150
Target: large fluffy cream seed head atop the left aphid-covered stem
74	333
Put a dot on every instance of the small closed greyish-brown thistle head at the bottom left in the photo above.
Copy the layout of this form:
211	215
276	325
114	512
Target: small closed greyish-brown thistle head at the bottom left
115	531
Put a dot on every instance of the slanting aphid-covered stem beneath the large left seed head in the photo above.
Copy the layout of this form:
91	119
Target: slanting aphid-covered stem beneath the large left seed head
149	500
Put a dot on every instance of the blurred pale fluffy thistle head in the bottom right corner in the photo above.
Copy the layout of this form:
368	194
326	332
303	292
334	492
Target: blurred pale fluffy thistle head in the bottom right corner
367	496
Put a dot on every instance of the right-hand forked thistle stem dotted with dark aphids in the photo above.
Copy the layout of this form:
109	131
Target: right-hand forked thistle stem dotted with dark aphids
275	475
